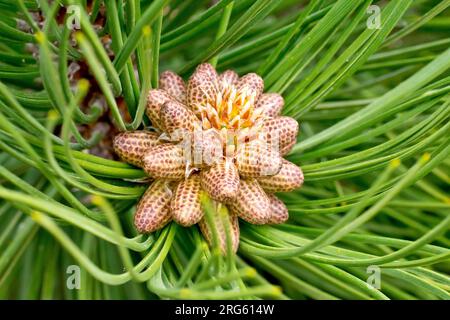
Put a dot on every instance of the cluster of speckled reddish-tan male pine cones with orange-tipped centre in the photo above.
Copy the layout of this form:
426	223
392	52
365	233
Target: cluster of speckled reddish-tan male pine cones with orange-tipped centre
219	134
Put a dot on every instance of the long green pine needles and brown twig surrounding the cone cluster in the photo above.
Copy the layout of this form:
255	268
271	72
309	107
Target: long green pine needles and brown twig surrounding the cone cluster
368	82
